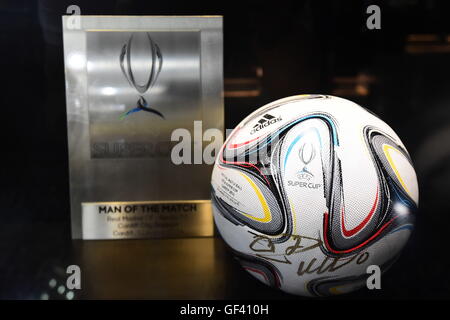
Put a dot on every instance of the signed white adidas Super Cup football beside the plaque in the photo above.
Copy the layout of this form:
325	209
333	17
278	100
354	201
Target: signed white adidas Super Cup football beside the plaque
310	190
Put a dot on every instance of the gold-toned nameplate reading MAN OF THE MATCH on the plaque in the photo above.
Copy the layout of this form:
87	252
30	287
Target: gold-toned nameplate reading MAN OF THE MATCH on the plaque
146	219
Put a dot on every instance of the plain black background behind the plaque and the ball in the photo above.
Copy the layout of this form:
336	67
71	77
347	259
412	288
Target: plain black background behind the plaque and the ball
302	47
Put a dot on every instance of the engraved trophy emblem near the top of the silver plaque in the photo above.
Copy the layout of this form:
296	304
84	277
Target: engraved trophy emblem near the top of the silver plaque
135	51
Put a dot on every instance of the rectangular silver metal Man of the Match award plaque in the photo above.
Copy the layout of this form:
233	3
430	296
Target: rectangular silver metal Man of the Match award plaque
130	82
